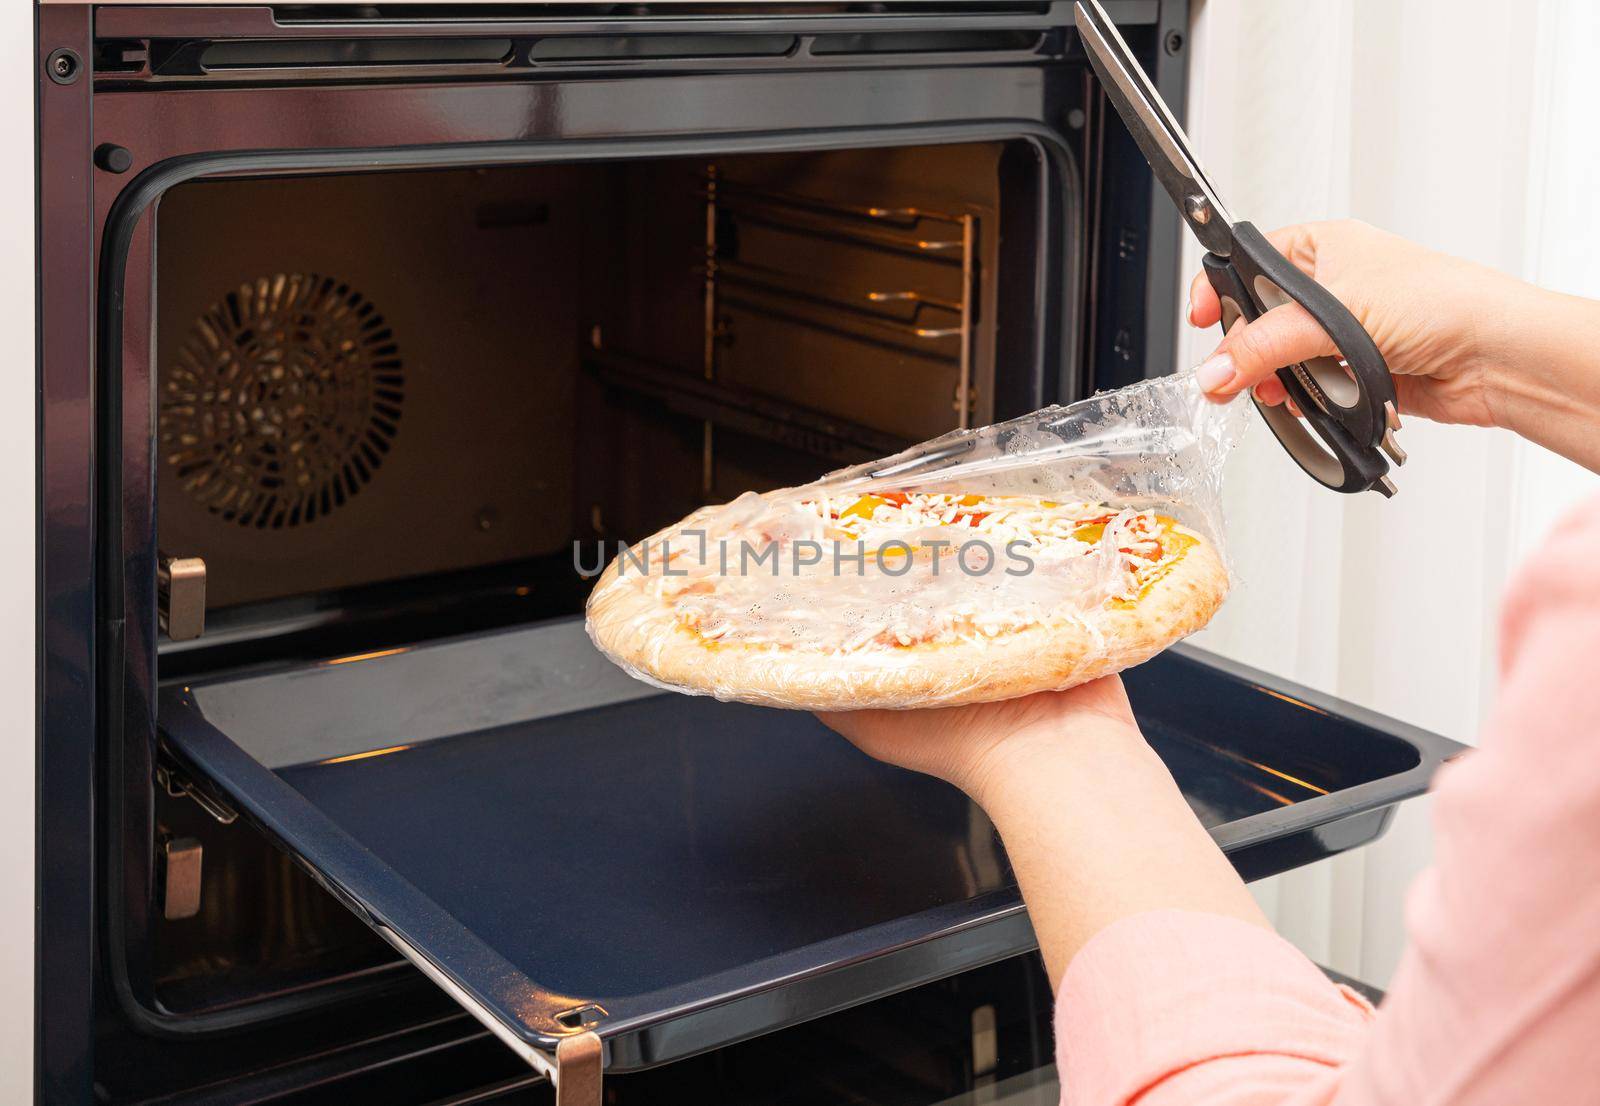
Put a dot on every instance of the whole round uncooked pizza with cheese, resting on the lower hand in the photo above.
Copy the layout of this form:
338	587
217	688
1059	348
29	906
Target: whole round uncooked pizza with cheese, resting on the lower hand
831	599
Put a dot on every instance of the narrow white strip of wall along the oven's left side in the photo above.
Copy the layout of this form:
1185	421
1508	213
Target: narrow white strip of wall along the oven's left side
17	561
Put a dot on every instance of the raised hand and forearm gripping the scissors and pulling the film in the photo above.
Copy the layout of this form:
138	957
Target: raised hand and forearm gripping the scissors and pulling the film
1465	343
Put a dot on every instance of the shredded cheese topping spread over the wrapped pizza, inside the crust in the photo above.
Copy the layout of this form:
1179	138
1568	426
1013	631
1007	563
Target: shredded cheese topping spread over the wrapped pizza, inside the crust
1081	558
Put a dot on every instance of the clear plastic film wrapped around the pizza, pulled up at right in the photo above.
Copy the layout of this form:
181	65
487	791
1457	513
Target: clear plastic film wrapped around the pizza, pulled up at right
1018	558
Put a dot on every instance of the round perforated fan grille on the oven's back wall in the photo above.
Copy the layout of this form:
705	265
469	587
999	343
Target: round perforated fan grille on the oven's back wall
282	403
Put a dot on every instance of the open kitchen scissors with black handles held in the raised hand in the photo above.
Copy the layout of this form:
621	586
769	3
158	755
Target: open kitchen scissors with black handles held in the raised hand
1348	401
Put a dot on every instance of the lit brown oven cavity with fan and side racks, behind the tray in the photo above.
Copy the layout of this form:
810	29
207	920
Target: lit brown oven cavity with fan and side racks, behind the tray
409	406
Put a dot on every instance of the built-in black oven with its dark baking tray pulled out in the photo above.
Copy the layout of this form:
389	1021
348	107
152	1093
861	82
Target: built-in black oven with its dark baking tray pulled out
366	327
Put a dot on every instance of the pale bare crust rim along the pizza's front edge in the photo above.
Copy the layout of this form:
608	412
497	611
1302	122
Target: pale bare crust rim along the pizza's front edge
646	636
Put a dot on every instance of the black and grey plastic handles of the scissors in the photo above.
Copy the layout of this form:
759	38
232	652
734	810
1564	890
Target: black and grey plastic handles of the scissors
1348	411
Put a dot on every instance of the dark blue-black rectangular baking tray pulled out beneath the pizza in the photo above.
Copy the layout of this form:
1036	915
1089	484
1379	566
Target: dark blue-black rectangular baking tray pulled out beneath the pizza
566	849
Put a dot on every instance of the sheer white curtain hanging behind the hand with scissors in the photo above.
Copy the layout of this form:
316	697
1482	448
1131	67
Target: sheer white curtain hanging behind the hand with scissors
1470	127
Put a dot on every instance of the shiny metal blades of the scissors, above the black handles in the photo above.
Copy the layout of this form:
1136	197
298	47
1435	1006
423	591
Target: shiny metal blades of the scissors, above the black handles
1153	127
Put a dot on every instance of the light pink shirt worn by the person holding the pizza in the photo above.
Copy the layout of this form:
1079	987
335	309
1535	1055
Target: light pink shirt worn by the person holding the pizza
1498	996
